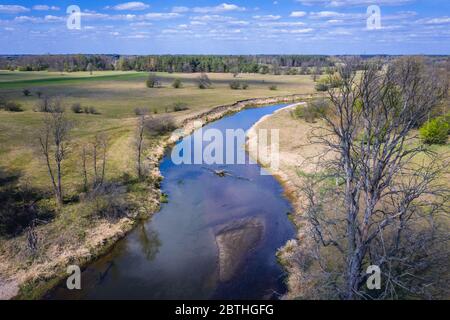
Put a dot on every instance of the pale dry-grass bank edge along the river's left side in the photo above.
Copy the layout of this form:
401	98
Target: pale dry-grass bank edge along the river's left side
38	286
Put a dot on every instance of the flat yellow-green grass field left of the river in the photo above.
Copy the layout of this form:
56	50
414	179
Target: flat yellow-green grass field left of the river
115	95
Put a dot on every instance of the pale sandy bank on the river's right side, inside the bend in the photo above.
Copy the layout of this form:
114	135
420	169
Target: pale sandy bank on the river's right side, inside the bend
297	157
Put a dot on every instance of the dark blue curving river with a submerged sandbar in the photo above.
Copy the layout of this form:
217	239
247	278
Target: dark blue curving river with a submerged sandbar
216	238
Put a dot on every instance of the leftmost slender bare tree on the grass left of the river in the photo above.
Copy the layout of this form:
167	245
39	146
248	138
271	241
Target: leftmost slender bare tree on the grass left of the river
53	142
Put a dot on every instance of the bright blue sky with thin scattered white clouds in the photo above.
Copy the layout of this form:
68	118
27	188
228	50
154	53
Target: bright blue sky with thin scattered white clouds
226	27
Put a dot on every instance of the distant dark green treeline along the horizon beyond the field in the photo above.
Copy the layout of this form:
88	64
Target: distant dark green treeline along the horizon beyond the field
168	63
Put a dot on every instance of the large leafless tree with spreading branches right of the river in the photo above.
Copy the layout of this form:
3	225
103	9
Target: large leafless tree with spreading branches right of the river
385	204
